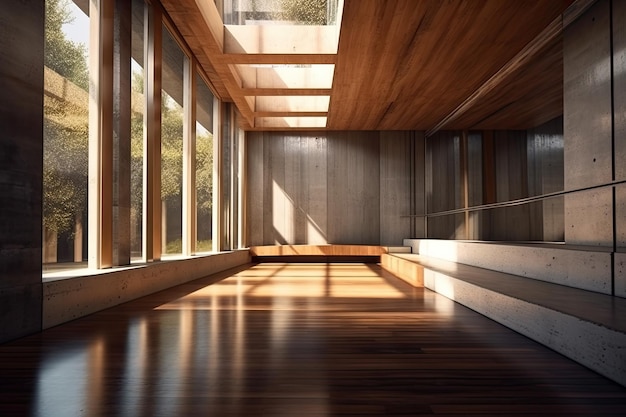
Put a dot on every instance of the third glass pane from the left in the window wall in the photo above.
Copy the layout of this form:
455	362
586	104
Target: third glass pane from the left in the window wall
172	145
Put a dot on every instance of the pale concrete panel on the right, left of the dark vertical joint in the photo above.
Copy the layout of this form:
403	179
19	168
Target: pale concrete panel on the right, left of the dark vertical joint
588	159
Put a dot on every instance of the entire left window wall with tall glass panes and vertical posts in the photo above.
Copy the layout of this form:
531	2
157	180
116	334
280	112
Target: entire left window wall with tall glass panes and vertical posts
70	147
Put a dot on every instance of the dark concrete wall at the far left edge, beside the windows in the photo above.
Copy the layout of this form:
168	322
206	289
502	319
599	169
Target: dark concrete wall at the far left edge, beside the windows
21	158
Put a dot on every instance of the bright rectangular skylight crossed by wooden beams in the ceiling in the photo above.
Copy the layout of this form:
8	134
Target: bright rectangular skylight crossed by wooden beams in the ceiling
281	55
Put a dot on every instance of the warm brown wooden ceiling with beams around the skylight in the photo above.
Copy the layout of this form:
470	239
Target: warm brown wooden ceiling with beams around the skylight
412	64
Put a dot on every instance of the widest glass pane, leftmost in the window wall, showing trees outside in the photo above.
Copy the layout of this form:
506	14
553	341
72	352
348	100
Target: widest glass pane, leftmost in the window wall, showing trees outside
66	135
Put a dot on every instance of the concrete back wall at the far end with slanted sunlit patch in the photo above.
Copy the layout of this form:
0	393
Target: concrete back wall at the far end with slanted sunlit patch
333	187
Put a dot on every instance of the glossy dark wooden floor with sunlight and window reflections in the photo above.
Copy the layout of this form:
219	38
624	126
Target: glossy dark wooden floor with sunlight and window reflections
294	340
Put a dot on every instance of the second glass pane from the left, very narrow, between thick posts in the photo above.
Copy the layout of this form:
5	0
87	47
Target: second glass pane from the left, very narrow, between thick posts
137	130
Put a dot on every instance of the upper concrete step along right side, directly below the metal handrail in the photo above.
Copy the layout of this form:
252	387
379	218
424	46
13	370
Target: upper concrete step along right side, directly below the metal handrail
587	268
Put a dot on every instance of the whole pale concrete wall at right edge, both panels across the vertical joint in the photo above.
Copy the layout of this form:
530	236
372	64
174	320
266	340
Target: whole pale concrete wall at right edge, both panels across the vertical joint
594	62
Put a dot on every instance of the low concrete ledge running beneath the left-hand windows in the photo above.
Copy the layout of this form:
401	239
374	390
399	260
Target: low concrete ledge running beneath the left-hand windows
69	299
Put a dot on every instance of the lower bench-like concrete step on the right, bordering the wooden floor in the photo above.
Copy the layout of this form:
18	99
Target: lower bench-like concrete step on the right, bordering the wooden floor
585	326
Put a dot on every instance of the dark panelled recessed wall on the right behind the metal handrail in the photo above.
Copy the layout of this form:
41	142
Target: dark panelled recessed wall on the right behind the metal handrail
501	166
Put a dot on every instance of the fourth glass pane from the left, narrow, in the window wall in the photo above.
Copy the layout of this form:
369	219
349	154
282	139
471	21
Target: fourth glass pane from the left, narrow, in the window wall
204	166
